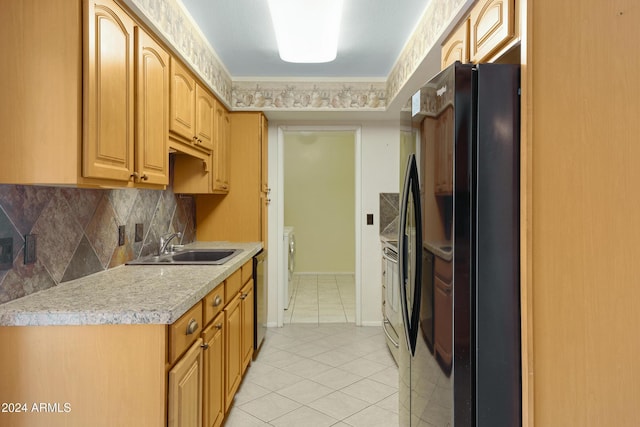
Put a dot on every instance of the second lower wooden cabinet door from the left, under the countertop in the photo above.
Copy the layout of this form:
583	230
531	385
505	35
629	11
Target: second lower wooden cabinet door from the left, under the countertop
213	384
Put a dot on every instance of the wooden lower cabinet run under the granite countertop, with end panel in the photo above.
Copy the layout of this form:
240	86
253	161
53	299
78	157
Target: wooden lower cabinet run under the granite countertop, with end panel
179	375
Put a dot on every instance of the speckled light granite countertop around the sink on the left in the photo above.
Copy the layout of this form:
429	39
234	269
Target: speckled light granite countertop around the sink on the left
129	294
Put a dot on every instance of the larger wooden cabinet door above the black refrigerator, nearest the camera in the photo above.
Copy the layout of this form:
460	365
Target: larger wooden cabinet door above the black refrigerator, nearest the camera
492	25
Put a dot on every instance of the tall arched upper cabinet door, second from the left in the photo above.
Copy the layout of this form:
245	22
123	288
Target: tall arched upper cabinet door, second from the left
152	125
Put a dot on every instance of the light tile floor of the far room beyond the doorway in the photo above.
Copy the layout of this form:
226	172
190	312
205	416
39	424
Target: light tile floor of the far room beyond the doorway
323	298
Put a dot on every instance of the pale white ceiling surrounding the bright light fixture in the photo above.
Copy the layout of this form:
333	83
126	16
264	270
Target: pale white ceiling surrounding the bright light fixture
373	33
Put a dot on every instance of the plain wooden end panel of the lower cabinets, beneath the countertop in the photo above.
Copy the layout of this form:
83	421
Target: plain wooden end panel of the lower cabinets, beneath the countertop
112	375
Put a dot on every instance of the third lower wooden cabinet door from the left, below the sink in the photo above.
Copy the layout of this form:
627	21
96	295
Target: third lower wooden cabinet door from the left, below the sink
233	355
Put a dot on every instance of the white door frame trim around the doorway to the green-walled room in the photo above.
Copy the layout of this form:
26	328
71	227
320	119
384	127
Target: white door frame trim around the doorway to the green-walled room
357	134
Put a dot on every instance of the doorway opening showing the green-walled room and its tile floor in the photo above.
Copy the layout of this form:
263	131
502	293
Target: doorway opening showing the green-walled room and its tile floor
320	187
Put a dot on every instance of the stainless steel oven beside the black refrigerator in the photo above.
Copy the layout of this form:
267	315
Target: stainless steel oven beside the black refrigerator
391	296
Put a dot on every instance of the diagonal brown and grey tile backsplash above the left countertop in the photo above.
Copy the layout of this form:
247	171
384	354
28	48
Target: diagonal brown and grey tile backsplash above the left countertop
77	231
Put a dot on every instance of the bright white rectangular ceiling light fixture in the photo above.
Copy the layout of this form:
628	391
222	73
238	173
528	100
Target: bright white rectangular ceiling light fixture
306	30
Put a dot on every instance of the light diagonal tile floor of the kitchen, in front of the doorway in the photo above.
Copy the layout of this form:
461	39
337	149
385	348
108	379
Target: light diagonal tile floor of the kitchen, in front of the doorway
319	374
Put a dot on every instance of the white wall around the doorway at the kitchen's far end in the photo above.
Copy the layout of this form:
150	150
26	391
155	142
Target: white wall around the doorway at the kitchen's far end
379	169
